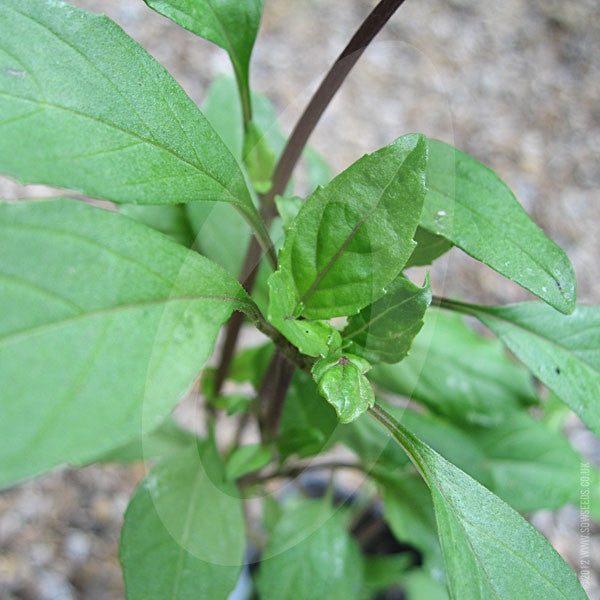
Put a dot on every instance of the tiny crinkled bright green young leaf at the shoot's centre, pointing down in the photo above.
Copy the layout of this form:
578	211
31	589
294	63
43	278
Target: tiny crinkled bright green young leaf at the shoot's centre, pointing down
342	383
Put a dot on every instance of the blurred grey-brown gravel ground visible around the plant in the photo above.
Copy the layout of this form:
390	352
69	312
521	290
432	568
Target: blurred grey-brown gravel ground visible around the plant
514	83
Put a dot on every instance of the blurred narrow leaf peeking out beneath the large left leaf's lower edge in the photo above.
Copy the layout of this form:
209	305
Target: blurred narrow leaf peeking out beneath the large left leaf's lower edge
167	439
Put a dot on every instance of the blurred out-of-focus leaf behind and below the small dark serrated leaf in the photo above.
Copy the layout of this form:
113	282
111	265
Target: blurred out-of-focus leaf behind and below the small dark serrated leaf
458	373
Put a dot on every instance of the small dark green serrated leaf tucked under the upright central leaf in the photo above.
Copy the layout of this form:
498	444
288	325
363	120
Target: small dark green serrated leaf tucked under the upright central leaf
384	331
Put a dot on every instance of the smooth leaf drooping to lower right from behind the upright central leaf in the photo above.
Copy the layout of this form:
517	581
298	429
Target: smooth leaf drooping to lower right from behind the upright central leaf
471	207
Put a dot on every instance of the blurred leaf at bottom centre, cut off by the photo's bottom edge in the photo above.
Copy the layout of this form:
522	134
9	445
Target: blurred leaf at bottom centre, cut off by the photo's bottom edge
310	555
